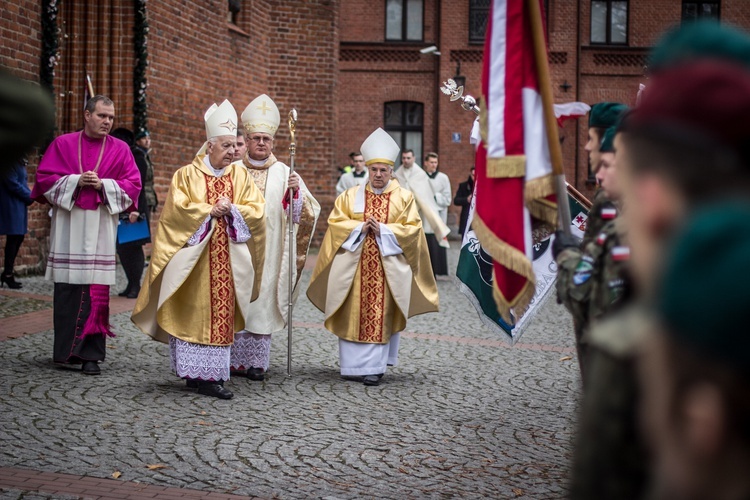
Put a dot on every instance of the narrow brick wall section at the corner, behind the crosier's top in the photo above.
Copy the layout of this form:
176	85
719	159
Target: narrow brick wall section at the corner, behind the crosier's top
302	73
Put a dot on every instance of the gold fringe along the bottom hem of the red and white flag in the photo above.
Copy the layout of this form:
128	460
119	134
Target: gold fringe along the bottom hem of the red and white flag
513	259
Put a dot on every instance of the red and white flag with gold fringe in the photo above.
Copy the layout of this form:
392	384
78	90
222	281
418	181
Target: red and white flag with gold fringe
513	167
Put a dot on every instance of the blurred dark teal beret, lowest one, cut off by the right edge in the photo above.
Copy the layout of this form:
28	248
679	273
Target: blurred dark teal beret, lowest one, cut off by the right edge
702	296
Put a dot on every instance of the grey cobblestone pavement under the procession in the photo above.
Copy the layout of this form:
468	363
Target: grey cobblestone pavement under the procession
463	415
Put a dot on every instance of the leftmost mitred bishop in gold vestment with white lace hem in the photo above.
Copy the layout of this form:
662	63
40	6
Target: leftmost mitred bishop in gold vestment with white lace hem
206	261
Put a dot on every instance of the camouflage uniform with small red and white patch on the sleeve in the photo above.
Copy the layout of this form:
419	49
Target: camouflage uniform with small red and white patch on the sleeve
592	280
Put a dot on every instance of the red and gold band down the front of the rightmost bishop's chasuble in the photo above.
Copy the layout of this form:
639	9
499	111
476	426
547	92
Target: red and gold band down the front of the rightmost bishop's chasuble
372	283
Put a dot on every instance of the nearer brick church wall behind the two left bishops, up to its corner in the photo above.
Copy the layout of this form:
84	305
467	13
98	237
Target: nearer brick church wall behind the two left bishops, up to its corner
286	49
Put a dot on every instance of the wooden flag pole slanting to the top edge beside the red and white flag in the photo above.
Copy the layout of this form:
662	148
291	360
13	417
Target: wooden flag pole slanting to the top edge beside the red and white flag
550	122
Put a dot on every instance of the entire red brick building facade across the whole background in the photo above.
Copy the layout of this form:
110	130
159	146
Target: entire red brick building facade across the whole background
346	66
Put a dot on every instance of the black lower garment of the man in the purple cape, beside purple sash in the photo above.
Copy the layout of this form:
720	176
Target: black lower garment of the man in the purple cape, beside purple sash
72	306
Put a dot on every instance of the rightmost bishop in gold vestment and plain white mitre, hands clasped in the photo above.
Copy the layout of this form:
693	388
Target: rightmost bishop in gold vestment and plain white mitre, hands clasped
373	270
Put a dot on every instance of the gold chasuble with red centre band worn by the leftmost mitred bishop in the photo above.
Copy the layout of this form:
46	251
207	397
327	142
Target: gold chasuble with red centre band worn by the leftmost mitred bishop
202	293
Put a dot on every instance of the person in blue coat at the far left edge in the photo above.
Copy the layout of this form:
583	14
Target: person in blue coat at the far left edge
14	198
